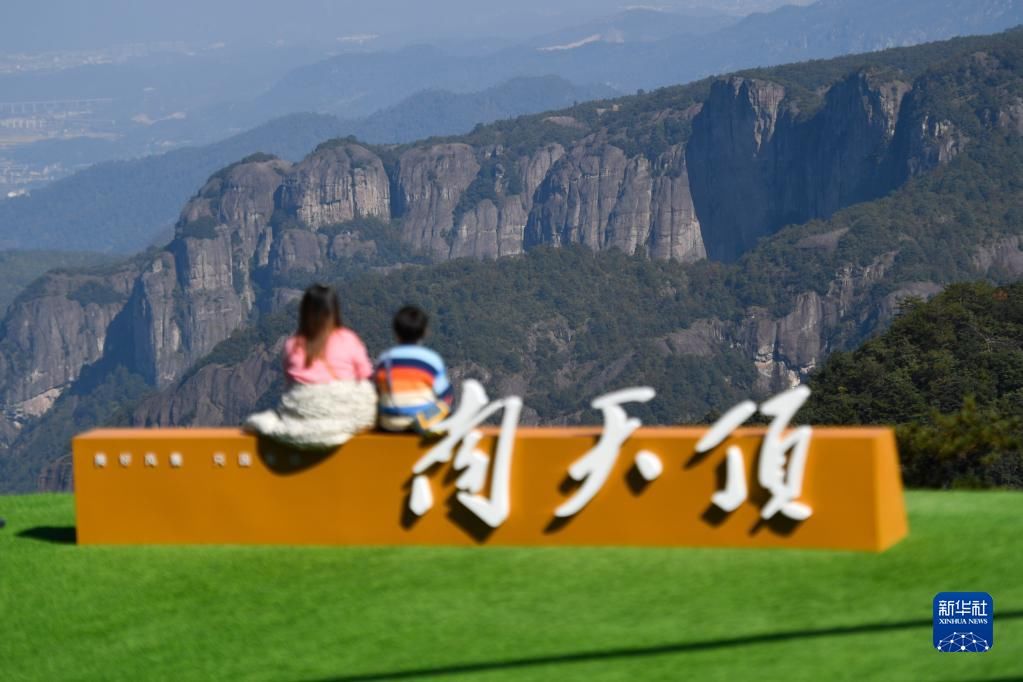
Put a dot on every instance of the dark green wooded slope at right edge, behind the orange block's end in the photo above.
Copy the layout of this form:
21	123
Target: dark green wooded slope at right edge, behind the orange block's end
950	375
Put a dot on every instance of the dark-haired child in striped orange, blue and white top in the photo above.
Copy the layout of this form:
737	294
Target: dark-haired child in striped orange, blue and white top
412	381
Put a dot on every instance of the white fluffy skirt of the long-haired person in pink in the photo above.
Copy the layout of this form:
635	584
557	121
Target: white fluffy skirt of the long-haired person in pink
325	416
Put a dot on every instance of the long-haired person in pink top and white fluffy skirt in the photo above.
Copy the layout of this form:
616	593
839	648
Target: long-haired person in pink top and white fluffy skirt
329	398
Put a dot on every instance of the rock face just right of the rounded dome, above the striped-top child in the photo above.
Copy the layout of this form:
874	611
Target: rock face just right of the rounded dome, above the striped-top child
431	181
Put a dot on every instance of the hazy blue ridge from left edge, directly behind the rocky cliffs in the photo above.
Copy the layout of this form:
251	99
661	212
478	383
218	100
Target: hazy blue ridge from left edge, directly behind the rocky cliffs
123	207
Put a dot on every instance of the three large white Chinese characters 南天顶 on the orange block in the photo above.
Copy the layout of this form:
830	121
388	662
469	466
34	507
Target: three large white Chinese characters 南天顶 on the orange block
781	467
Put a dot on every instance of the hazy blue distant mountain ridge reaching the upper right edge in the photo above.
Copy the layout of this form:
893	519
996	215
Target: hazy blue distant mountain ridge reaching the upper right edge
621	58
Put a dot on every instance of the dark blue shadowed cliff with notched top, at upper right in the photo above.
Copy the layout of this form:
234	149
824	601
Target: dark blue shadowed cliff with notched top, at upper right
758	165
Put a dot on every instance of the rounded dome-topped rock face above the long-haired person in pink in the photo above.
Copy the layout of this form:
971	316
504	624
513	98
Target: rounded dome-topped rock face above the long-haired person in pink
338	184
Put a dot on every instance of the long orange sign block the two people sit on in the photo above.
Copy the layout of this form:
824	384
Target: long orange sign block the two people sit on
223	486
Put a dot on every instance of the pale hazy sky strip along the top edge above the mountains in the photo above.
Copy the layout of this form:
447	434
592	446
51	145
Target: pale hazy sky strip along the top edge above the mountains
68	25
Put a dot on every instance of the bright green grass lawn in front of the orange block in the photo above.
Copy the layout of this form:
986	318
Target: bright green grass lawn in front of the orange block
482	614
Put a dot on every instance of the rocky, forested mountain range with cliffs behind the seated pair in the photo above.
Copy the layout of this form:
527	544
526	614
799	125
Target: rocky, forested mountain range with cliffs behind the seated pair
718	240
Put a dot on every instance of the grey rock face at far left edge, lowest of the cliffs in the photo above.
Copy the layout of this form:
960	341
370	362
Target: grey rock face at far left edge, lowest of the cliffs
53	332
